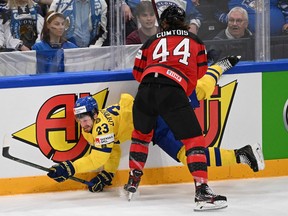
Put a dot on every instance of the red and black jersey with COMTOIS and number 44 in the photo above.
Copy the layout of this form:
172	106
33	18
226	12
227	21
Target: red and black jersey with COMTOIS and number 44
176	54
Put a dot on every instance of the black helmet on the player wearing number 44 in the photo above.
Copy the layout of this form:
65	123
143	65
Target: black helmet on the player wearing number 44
172	14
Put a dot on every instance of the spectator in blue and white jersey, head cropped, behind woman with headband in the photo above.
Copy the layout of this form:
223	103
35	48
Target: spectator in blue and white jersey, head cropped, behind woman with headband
88	20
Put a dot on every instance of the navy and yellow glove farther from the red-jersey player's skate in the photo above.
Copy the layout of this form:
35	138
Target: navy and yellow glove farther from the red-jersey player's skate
62	171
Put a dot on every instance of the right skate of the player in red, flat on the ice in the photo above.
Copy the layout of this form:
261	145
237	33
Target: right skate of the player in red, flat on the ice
206	199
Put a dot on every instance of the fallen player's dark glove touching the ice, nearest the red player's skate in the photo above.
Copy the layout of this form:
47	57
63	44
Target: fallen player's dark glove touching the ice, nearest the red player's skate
100	181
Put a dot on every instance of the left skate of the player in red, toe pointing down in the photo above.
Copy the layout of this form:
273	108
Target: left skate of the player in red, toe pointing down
133	182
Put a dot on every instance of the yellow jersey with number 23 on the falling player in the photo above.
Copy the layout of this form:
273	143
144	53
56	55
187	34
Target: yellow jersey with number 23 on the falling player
112	127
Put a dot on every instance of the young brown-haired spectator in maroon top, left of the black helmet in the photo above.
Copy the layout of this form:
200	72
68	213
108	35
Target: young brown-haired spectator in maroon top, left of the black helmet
147	19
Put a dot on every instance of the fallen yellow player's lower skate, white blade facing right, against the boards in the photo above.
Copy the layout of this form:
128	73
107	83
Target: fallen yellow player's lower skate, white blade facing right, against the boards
251	155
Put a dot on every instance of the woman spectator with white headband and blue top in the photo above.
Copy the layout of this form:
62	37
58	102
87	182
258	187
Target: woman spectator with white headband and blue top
49	51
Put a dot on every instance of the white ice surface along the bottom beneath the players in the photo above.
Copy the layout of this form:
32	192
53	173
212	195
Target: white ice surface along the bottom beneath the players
257	196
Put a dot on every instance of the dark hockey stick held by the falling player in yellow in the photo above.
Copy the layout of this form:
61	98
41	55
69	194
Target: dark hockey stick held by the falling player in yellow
6	154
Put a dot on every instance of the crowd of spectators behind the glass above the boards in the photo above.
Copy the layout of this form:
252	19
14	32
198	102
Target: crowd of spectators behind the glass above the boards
22	22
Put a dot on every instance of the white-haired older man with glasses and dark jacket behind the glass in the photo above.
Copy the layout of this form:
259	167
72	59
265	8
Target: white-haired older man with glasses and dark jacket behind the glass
237	28
